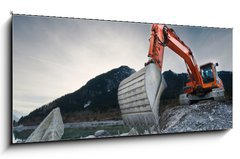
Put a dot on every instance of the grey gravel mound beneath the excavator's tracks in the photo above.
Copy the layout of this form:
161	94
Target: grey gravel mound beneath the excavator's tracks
210	115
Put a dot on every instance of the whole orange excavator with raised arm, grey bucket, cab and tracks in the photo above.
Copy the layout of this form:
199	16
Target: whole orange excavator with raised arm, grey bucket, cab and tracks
139	95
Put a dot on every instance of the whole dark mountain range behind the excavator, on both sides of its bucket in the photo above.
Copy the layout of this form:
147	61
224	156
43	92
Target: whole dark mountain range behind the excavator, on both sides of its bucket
97	99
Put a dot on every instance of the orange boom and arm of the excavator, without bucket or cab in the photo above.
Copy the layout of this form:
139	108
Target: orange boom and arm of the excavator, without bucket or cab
162	36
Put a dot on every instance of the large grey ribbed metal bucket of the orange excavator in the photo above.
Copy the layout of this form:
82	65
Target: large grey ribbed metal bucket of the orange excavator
139	97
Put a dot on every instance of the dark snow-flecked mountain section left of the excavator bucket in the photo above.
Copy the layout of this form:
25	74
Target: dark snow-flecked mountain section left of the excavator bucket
96	100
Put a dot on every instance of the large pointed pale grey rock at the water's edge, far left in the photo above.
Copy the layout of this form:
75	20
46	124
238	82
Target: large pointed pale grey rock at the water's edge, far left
50	129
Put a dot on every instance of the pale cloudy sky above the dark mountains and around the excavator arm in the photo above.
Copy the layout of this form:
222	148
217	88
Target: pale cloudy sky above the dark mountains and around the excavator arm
56	56
